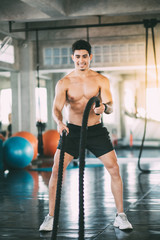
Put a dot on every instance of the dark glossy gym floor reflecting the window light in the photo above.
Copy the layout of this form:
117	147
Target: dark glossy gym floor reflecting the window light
24	200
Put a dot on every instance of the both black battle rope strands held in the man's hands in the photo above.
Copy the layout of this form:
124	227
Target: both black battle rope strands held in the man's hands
83	137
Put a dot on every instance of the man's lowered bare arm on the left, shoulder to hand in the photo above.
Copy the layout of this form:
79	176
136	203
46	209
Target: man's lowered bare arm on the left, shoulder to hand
58	104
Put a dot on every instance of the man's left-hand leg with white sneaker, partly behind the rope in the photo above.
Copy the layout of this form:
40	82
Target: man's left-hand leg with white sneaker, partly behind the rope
47	224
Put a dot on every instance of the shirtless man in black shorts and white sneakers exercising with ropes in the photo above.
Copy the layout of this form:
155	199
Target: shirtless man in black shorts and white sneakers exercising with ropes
73	91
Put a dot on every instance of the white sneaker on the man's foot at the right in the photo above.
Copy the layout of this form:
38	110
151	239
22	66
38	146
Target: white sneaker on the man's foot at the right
122	222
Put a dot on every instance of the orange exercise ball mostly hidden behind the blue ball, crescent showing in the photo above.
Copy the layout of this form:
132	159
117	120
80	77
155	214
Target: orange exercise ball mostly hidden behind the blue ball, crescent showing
31	138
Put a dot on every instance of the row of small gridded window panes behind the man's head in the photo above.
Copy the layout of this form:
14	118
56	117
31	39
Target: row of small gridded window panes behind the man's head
109	53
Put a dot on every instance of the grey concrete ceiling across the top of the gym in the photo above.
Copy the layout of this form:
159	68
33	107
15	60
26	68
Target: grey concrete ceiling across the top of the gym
51	10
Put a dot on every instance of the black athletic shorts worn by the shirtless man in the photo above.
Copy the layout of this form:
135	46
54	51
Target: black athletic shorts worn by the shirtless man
98	140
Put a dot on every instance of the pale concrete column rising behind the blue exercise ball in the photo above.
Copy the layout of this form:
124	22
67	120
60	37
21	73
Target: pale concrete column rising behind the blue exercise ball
27	86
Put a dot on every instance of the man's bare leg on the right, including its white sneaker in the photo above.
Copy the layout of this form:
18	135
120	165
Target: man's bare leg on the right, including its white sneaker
110	162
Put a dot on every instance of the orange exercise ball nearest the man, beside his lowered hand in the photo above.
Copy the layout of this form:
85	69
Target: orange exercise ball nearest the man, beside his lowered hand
50	142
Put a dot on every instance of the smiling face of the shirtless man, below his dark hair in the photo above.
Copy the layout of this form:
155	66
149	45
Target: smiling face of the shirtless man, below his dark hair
81	59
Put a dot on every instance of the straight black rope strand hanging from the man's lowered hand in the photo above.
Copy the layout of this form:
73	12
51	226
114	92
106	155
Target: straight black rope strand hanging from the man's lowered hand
59	189
